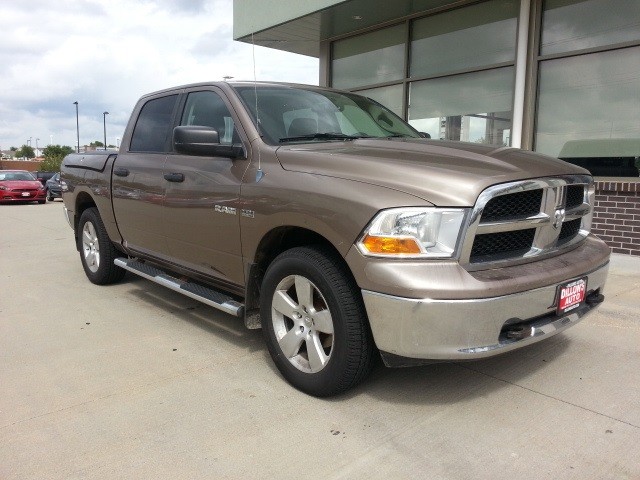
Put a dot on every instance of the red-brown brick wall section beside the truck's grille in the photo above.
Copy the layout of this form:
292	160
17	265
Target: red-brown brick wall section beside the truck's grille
616	218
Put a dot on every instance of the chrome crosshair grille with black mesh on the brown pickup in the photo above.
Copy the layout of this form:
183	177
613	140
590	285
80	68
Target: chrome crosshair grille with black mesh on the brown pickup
519	221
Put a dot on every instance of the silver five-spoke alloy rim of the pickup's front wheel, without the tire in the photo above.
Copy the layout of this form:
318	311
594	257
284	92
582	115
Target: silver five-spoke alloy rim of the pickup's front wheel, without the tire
302	323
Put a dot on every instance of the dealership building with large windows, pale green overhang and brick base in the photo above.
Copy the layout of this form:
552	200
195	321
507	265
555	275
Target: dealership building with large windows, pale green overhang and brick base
561	77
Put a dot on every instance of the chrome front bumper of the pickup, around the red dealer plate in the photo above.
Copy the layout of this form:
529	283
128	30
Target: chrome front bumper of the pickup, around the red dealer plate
467	329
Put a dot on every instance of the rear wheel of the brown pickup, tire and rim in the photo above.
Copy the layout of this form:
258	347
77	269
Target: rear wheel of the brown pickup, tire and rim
97	253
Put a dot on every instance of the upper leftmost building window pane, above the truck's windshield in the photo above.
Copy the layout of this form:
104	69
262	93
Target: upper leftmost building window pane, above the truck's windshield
367	59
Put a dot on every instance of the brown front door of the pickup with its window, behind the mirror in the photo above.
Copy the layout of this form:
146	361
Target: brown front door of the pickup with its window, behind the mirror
202	195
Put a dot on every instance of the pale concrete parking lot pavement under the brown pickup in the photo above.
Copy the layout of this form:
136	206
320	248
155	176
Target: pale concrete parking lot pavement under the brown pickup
134	381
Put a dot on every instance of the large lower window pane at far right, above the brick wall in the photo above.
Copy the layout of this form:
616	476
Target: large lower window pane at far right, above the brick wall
589	108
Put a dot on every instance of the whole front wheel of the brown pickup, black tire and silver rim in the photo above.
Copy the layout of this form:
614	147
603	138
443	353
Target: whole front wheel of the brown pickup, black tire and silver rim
311	307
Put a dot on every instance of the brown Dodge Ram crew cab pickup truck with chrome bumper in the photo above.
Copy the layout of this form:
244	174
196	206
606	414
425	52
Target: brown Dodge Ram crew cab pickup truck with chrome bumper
329	222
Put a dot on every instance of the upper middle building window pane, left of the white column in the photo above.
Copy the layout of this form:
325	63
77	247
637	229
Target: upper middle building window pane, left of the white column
474	36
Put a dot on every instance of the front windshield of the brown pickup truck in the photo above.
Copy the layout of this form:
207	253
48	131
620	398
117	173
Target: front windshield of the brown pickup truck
292	114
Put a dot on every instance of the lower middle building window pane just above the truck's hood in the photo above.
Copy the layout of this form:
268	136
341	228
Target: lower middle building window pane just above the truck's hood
473	107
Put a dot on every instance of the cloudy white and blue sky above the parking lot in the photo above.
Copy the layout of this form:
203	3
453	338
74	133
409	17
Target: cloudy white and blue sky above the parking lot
104	54
